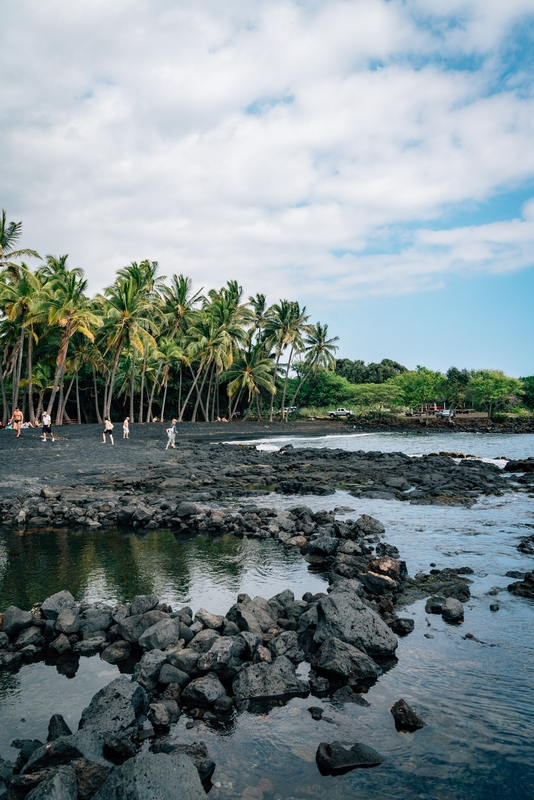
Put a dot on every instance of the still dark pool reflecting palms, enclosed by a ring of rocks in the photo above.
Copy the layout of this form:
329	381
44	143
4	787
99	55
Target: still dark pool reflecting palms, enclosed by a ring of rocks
111	566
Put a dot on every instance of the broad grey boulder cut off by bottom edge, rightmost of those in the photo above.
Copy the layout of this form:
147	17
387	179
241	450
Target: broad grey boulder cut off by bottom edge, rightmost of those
153	776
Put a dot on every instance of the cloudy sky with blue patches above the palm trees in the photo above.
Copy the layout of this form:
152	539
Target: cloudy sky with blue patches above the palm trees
372	159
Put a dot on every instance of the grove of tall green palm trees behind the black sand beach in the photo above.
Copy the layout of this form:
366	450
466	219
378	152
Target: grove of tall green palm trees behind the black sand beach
147	346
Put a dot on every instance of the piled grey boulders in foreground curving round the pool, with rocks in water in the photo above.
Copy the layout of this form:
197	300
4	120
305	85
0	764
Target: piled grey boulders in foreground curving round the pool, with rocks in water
213	667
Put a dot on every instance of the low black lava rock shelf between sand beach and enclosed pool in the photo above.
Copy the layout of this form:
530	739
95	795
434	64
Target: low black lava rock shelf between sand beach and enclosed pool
179	494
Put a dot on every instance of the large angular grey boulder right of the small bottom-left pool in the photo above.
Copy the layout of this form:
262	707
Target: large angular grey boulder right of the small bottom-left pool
115	708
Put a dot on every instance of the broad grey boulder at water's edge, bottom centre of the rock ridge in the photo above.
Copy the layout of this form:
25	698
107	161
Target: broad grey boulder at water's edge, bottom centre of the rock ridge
264	680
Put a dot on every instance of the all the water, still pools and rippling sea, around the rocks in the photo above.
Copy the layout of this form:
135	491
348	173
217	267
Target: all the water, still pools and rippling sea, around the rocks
476	697
